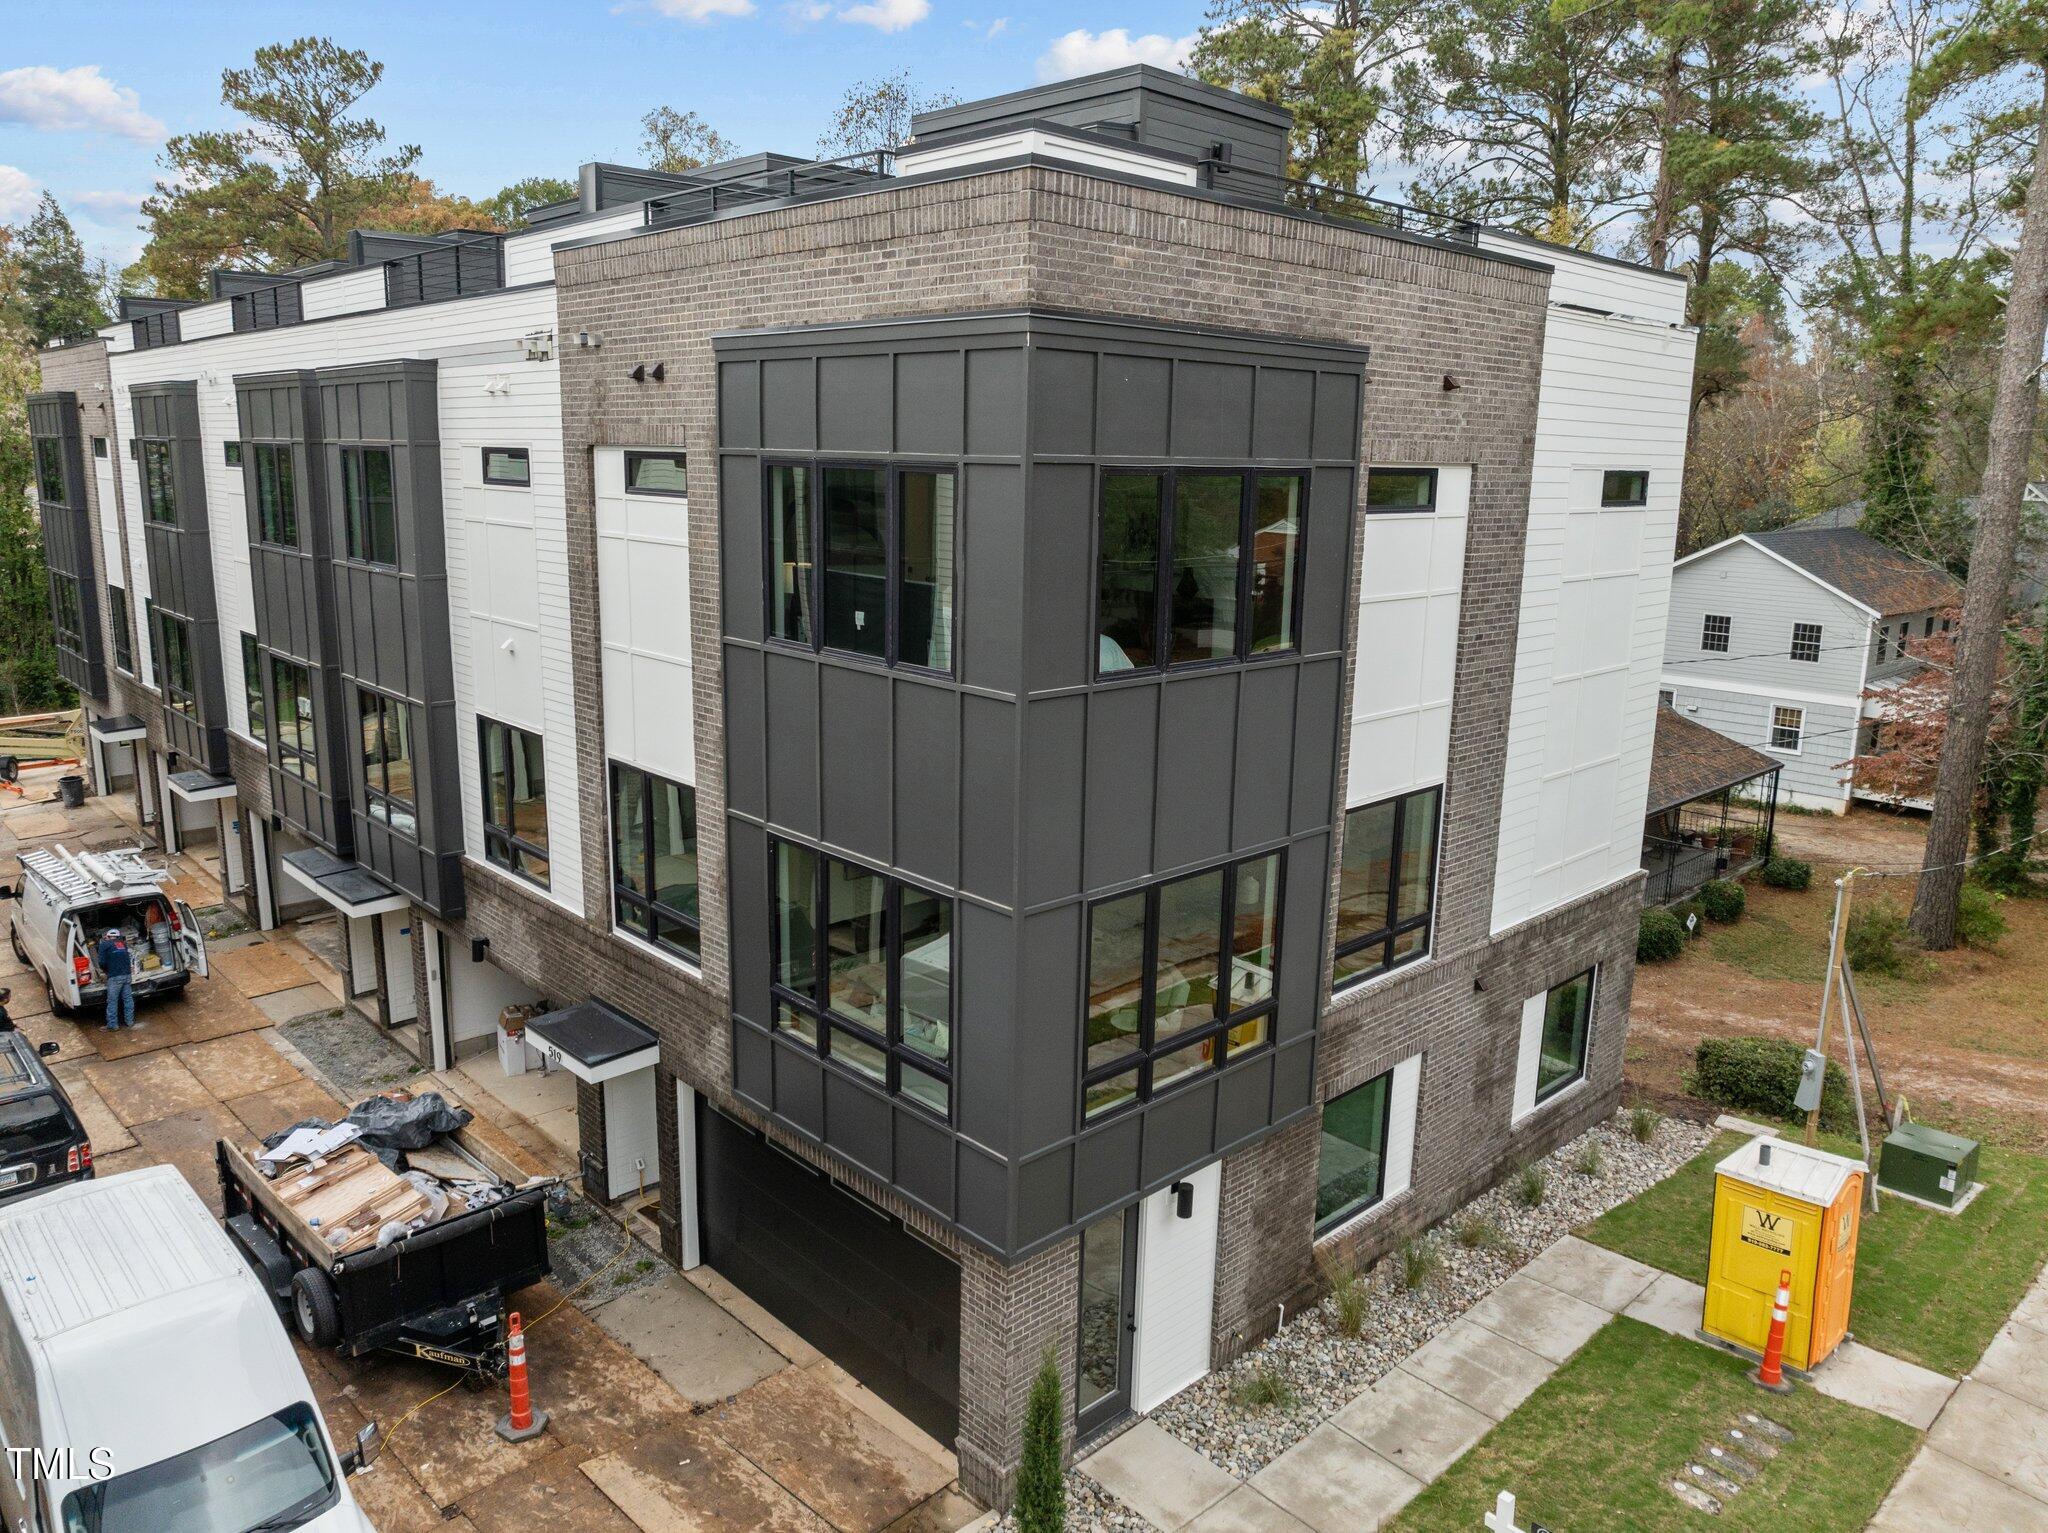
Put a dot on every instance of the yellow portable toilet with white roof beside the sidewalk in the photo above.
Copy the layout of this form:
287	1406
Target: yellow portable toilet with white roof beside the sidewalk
1783	1207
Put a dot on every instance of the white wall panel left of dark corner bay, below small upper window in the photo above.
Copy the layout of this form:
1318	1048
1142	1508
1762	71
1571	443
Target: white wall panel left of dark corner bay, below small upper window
644	603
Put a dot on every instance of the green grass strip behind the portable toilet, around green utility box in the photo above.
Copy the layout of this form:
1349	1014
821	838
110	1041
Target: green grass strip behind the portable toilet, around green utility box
1928	1286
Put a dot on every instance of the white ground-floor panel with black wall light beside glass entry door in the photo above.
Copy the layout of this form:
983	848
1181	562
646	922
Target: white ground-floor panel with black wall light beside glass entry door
1177	1288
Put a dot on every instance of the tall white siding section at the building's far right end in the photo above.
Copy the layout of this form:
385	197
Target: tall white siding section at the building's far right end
1594	601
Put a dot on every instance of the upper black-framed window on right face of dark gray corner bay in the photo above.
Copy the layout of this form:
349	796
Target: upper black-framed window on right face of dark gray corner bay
1197	566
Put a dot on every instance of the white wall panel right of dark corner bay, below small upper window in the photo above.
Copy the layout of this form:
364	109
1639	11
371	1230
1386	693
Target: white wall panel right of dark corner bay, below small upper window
1408	644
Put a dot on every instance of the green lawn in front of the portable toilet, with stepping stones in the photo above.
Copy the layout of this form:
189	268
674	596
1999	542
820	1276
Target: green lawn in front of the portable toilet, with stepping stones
1596	1448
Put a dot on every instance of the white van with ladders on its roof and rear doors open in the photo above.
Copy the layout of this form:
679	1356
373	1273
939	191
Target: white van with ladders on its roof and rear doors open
71	900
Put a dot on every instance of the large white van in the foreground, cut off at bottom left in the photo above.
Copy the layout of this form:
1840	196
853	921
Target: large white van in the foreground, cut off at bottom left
144	1381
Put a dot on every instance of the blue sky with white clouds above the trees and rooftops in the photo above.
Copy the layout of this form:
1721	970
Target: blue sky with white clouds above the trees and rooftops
495	93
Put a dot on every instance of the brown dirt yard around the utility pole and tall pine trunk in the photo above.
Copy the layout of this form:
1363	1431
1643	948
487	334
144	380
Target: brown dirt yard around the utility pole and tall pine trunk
1963	1035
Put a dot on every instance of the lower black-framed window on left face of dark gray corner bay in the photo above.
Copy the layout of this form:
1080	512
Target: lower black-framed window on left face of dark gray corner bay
861	967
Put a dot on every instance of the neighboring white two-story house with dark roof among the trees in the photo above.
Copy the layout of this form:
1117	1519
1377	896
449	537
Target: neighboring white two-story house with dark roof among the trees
1779	638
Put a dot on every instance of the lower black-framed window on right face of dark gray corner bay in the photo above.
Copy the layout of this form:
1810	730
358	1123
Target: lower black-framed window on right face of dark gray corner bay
1183	979
